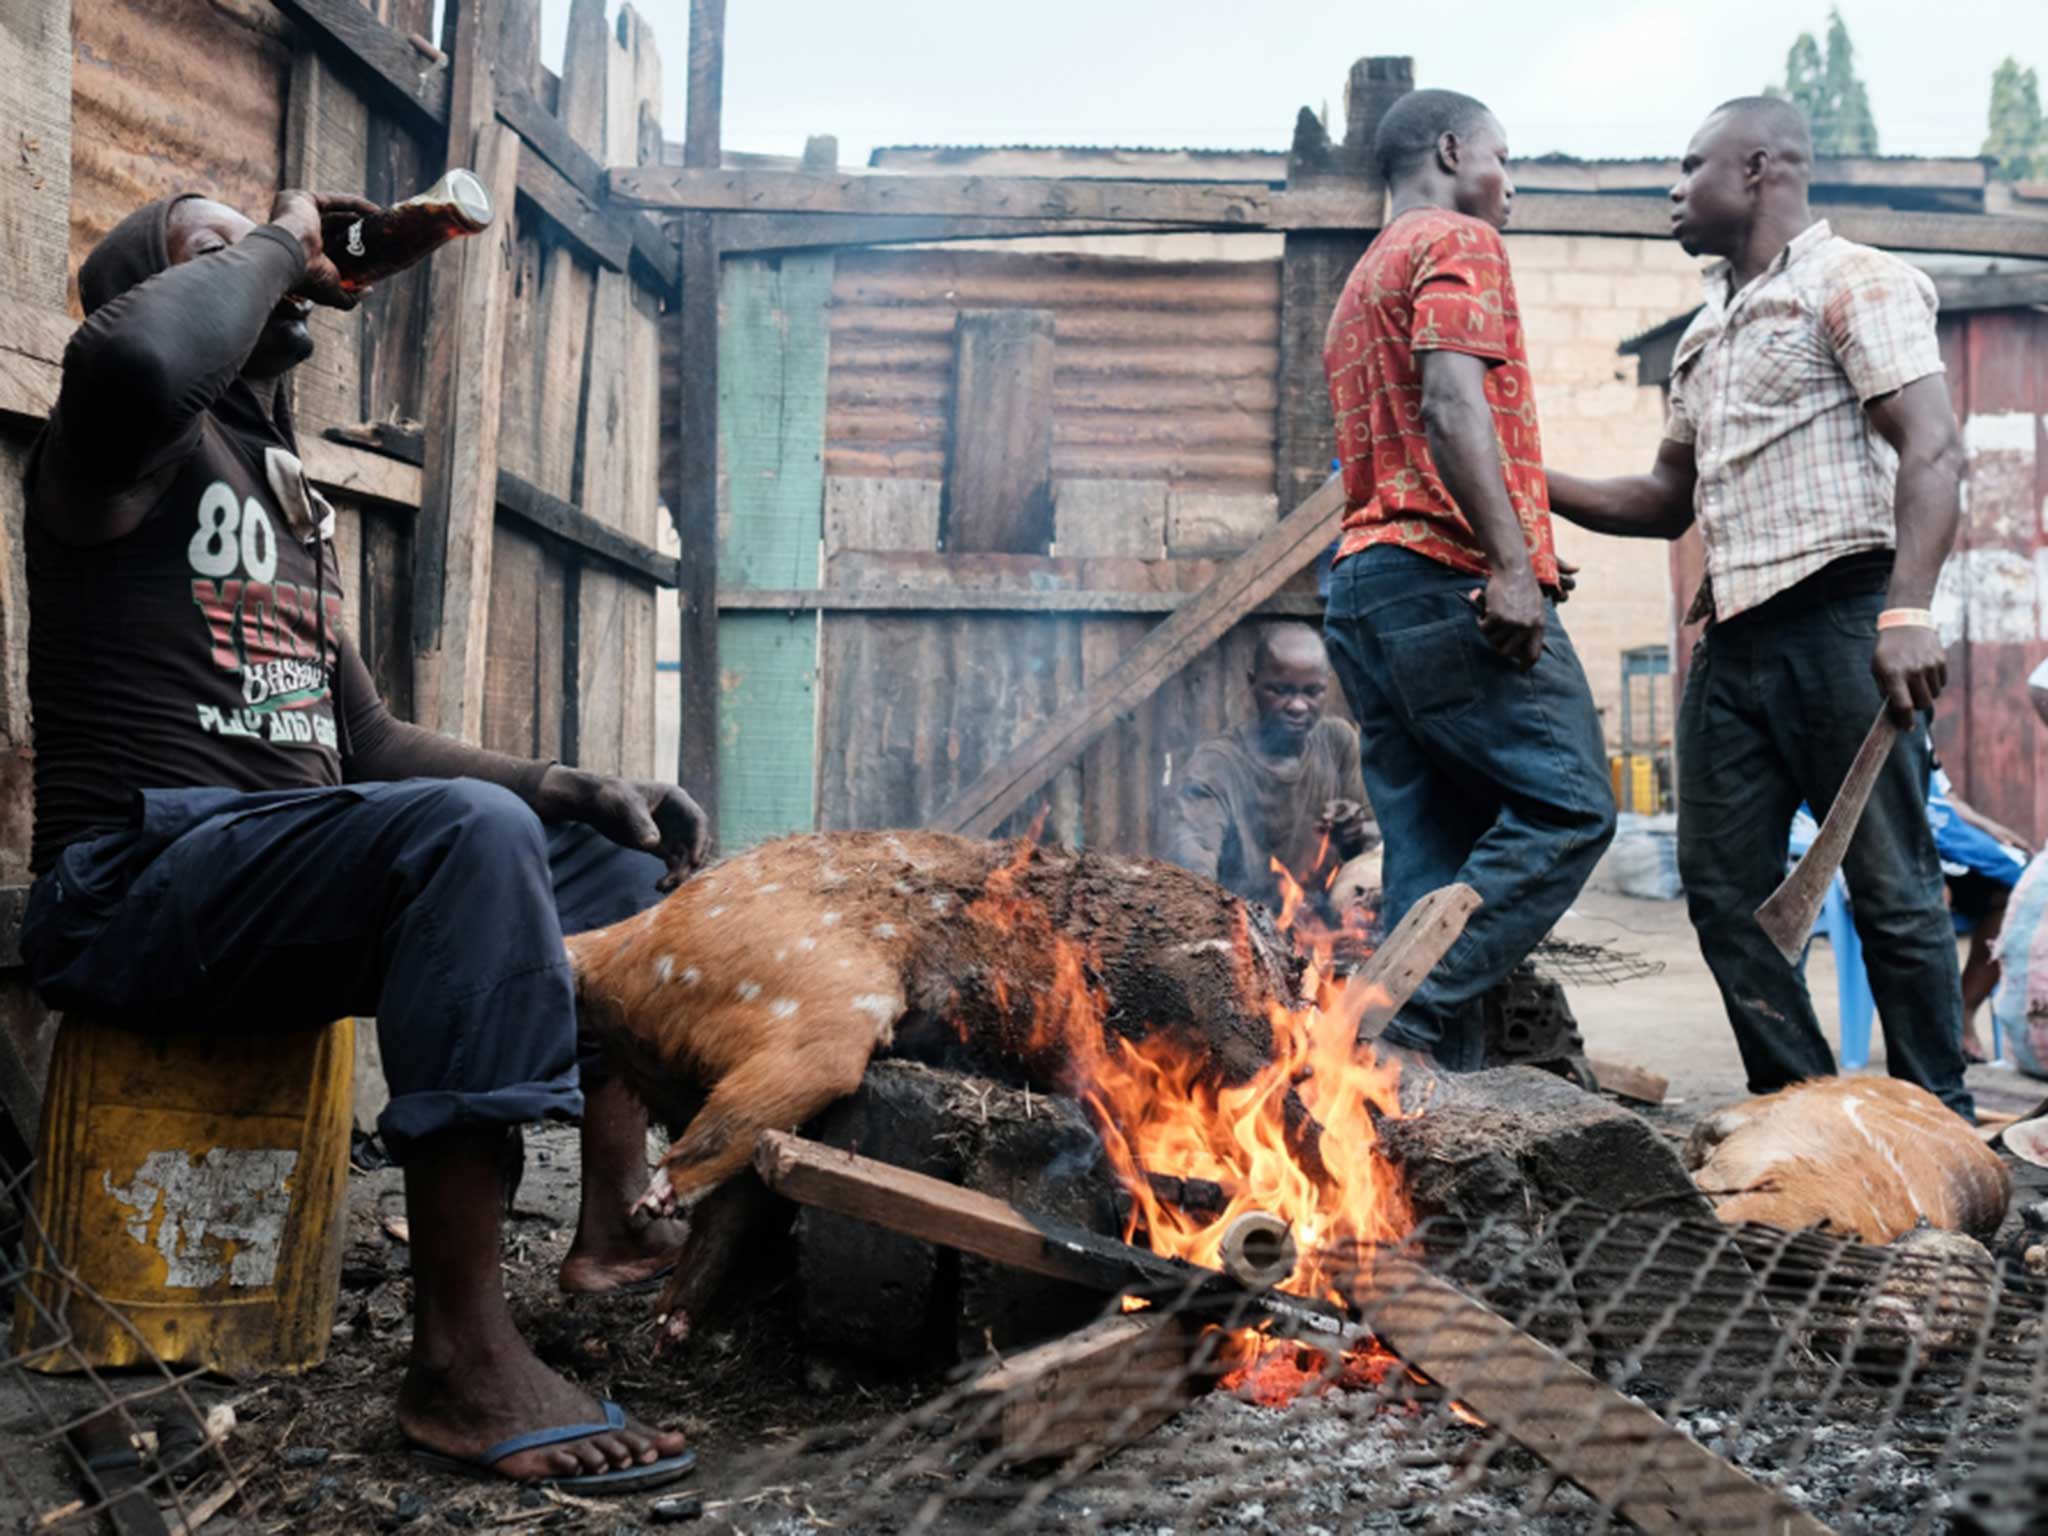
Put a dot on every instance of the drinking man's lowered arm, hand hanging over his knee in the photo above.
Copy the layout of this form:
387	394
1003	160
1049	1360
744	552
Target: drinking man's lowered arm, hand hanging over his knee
652	818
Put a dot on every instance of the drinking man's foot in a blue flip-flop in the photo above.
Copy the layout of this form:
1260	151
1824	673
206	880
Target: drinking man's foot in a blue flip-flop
470	1410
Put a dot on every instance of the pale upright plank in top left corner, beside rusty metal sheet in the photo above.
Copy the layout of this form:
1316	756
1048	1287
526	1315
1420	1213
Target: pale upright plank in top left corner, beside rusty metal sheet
36	140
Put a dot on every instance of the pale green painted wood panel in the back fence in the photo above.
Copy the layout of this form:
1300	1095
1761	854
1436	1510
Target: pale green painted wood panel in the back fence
773	351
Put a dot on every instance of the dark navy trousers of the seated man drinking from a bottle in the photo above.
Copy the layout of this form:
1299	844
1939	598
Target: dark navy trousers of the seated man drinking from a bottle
437	906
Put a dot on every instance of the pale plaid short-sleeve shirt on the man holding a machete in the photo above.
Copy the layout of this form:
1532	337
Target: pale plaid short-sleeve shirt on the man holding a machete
1770	388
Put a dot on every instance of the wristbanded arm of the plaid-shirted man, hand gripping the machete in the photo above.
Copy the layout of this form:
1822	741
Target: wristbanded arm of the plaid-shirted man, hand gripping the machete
1912	665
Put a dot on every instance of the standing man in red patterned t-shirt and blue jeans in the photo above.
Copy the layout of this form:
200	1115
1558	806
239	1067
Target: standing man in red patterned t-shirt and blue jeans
1484	753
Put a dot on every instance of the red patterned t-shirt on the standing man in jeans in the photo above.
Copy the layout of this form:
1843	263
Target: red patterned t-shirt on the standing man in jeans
1435	282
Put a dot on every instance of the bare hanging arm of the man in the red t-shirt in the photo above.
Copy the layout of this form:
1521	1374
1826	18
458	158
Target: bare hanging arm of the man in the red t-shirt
1467	456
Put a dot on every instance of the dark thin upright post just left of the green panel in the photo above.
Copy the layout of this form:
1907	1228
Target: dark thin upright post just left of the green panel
693	499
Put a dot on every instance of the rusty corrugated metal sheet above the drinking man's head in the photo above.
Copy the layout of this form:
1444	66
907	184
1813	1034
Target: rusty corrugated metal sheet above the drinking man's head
171	97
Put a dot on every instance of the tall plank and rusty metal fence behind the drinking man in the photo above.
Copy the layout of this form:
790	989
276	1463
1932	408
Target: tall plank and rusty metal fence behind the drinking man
488	425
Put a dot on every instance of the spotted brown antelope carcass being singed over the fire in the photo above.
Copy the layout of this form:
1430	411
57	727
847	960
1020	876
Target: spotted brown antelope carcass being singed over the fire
757	994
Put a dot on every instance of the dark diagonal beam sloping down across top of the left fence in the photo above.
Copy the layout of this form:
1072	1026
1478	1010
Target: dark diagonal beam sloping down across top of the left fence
560	179
